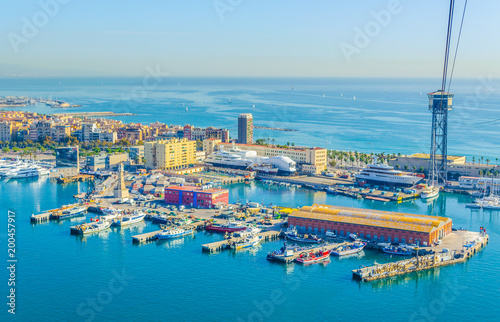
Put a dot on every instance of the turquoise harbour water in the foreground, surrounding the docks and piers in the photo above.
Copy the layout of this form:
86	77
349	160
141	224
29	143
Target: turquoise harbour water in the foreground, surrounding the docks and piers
174	281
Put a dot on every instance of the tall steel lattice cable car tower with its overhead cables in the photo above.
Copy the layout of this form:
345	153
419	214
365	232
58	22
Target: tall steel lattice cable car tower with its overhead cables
440	103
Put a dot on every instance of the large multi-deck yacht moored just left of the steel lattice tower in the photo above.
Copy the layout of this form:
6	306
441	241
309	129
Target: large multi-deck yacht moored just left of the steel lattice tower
385	174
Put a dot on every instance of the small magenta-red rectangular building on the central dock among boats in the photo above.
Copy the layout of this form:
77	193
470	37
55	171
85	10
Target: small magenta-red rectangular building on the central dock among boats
196	197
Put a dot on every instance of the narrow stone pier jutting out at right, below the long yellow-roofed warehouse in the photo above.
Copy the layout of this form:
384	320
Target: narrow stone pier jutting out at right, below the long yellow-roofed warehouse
420	263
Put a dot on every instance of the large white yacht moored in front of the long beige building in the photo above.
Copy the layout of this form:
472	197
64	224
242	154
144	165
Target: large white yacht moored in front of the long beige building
248	160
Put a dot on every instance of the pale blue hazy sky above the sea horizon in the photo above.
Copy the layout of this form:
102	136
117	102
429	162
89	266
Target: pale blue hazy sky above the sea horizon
245	38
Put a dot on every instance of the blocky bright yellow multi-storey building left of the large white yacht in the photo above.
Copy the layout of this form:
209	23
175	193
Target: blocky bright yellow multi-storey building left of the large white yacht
170	154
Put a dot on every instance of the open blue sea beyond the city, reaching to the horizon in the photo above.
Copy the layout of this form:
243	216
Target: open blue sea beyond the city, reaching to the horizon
387	115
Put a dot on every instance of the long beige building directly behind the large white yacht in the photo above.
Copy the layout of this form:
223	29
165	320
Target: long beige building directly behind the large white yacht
311	160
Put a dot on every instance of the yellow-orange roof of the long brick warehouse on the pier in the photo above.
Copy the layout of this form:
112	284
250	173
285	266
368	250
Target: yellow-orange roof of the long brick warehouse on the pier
368	217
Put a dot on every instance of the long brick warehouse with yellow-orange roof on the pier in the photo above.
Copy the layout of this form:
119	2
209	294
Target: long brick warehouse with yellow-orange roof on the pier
380	226
